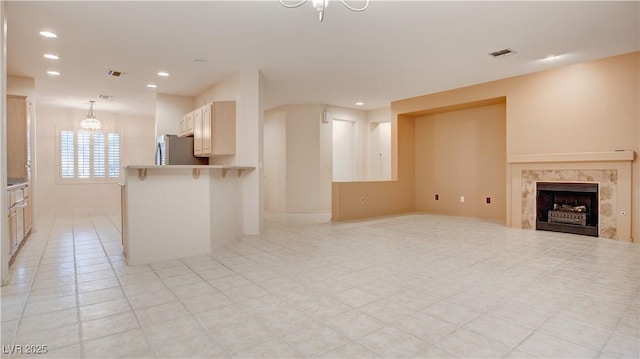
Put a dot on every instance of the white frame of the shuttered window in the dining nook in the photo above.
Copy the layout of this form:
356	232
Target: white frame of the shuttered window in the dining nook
91	179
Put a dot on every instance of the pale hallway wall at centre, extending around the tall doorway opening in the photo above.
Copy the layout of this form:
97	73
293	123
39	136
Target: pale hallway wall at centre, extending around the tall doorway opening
305	185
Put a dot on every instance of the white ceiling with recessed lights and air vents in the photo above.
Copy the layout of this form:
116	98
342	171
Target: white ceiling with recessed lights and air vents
391	51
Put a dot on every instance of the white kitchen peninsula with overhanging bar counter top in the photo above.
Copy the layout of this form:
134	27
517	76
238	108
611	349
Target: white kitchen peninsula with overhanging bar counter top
175	211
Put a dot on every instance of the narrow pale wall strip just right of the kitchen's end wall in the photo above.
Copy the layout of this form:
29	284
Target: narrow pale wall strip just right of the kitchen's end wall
275	161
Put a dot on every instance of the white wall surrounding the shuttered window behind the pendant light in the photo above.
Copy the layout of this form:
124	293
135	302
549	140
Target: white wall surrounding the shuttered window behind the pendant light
138	147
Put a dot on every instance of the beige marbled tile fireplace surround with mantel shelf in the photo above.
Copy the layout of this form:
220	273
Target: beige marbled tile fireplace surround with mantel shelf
611	170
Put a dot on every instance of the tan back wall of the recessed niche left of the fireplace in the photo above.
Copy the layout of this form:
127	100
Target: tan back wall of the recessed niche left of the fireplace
462	153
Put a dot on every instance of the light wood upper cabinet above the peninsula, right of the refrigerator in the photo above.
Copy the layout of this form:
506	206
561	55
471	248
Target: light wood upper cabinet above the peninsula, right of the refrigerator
218	136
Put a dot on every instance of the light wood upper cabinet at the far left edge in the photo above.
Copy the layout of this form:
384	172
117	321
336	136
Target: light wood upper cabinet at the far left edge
17	138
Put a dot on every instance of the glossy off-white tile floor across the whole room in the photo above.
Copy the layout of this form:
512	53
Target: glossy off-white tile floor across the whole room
408	286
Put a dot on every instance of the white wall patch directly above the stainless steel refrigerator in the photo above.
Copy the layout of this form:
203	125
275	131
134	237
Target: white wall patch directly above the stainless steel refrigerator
169	110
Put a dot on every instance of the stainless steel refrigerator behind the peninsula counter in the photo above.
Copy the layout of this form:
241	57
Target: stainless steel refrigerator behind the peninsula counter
174	150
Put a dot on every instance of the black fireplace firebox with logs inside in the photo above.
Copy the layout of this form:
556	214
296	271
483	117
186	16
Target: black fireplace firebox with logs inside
567	207
